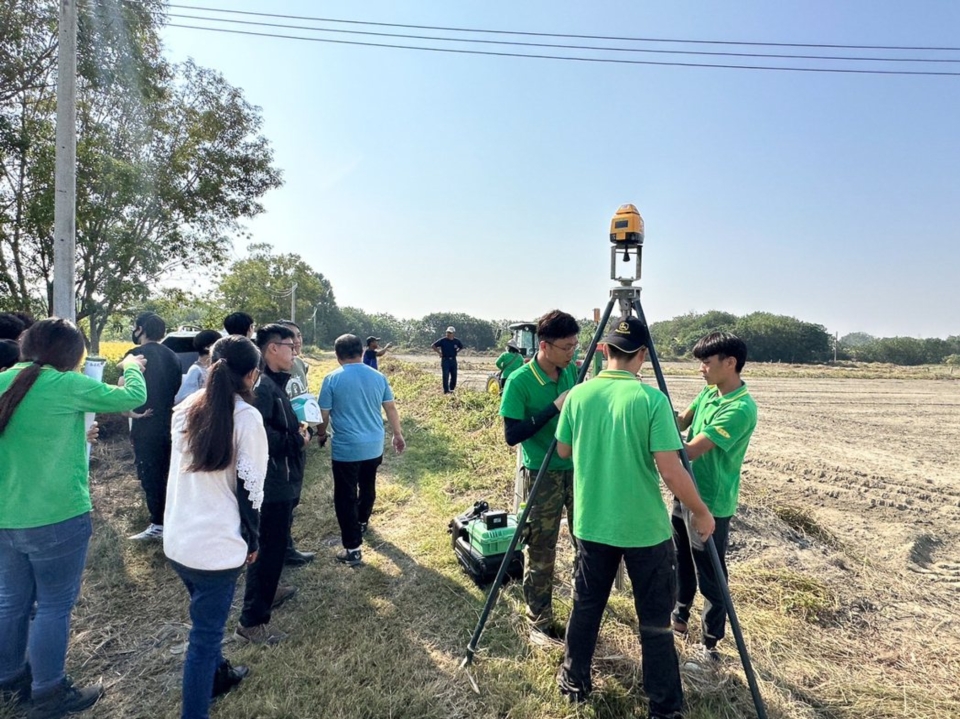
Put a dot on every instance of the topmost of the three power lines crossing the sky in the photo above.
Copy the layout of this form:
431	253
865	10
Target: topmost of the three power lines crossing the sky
570	36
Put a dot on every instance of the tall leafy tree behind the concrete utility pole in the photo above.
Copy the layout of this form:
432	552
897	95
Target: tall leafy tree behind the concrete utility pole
169	157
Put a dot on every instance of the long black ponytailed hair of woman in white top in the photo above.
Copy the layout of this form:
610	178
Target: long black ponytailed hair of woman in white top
209	425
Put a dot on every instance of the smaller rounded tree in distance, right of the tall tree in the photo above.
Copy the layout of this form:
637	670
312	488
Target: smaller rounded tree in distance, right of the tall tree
261	283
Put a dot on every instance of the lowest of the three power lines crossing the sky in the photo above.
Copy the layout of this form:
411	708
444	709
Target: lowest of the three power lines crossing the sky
617	61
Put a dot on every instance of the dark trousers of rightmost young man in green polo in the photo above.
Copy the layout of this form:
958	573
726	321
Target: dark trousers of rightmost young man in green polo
693	565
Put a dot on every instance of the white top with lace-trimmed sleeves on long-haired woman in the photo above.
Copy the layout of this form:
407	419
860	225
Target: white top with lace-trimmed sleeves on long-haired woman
202	519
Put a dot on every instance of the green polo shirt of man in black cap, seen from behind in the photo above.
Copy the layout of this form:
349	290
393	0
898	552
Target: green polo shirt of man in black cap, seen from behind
615	423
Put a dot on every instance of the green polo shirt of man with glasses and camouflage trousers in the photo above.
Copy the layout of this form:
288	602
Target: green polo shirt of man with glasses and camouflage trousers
527	392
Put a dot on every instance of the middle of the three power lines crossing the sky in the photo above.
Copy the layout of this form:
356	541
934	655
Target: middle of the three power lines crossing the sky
567	46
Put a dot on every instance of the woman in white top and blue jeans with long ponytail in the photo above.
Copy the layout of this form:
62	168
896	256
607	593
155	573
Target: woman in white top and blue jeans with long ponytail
217	471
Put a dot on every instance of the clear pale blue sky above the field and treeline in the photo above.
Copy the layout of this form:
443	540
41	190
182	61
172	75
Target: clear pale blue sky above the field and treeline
421	182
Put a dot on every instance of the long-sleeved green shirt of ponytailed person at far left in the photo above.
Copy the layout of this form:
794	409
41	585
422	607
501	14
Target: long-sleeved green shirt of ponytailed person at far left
43	455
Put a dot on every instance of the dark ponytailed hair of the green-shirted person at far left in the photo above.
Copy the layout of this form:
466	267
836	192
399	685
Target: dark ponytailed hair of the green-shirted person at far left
55	342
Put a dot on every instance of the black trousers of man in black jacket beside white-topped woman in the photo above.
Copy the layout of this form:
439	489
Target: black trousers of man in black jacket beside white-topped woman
263	576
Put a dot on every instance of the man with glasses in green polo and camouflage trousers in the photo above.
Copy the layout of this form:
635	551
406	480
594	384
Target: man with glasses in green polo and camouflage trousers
532	400
